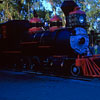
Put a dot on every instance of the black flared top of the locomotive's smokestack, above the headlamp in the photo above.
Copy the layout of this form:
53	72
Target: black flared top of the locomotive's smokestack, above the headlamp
68	6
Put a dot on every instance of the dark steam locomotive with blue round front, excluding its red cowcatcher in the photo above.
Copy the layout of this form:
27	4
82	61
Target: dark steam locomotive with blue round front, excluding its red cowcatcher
45	51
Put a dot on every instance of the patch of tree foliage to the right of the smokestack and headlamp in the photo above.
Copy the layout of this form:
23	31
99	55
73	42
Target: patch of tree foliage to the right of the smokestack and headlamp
92	9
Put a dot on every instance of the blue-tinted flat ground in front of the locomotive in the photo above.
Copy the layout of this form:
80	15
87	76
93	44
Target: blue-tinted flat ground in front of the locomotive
23	86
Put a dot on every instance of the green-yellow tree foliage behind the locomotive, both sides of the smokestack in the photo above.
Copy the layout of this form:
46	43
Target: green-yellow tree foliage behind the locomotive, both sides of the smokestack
23	9
